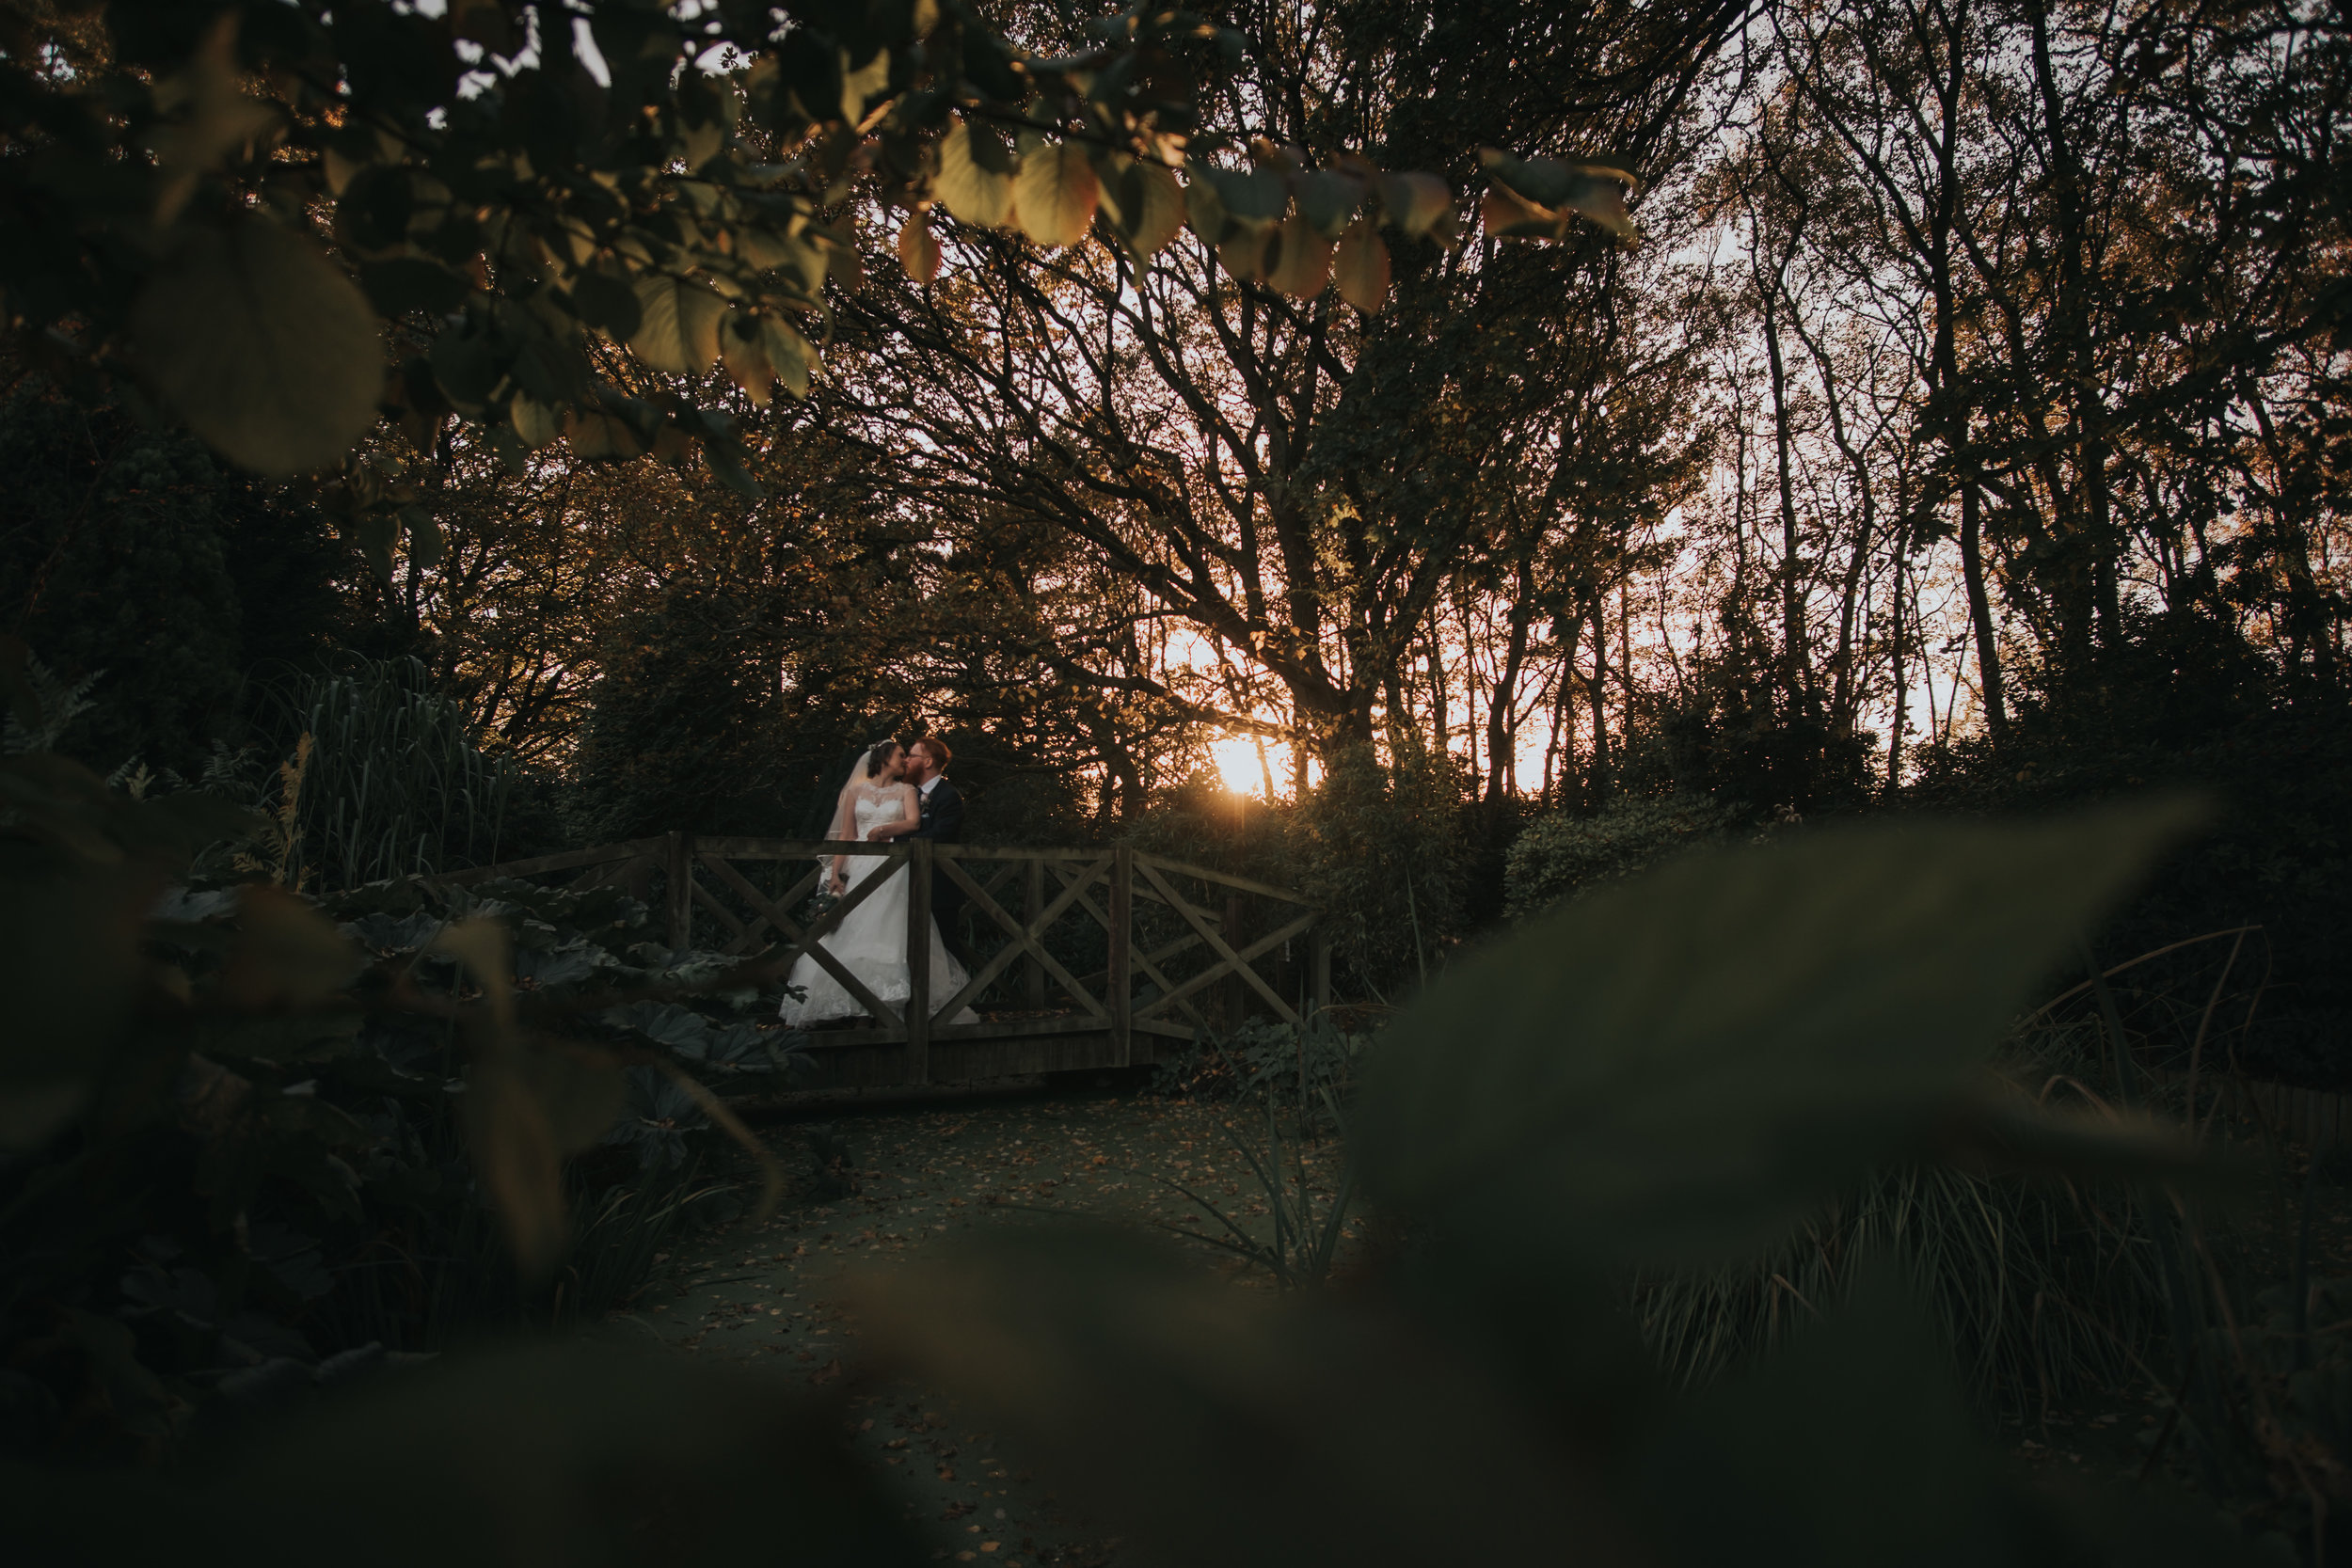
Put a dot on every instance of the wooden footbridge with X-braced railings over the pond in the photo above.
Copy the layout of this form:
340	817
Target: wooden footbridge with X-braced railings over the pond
1085	958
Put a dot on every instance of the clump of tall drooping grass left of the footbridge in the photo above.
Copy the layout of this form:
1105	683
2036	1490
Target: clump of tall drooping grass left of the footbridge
396	782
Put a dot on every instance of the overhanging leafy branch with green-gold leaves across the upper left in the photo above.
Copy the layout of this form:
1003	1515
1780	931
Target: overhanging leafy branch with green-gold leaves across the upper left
288	217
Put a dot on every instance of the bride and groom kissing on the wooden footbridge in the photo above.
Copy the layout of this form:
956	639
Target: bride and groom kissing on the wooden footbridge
893	793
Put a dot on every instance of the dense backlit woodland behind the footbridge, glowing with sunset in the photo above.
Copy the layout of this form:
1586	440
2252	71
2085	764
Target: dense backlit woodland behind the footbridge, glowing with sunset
1967	429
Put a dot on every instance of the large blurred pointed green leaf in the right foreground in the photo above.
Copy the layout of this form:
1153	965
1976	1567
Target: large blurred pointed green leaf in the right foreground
1676	1068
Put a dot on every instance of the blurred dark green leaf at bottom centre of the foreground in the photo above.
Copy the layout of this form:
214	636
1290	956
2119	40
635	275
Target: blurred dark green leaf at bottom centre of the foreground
1220	1428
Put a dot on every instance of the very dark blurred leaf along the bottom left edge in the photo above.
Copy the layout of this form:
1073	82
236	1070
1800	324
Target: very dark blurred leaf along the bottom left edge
577	1459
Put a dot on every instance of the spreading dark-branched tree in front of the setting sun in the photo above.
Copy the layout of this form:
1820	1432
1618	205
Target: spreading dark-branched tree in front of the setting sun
1290	476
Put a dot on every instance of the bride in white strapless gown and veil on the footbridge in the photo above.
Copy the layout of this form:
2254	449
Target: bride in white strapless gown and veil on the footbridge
871	942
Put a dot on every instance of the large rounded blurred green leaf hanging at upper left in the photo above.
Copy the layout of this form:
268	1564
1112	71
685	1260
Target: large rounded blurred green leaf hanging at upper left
262	347
